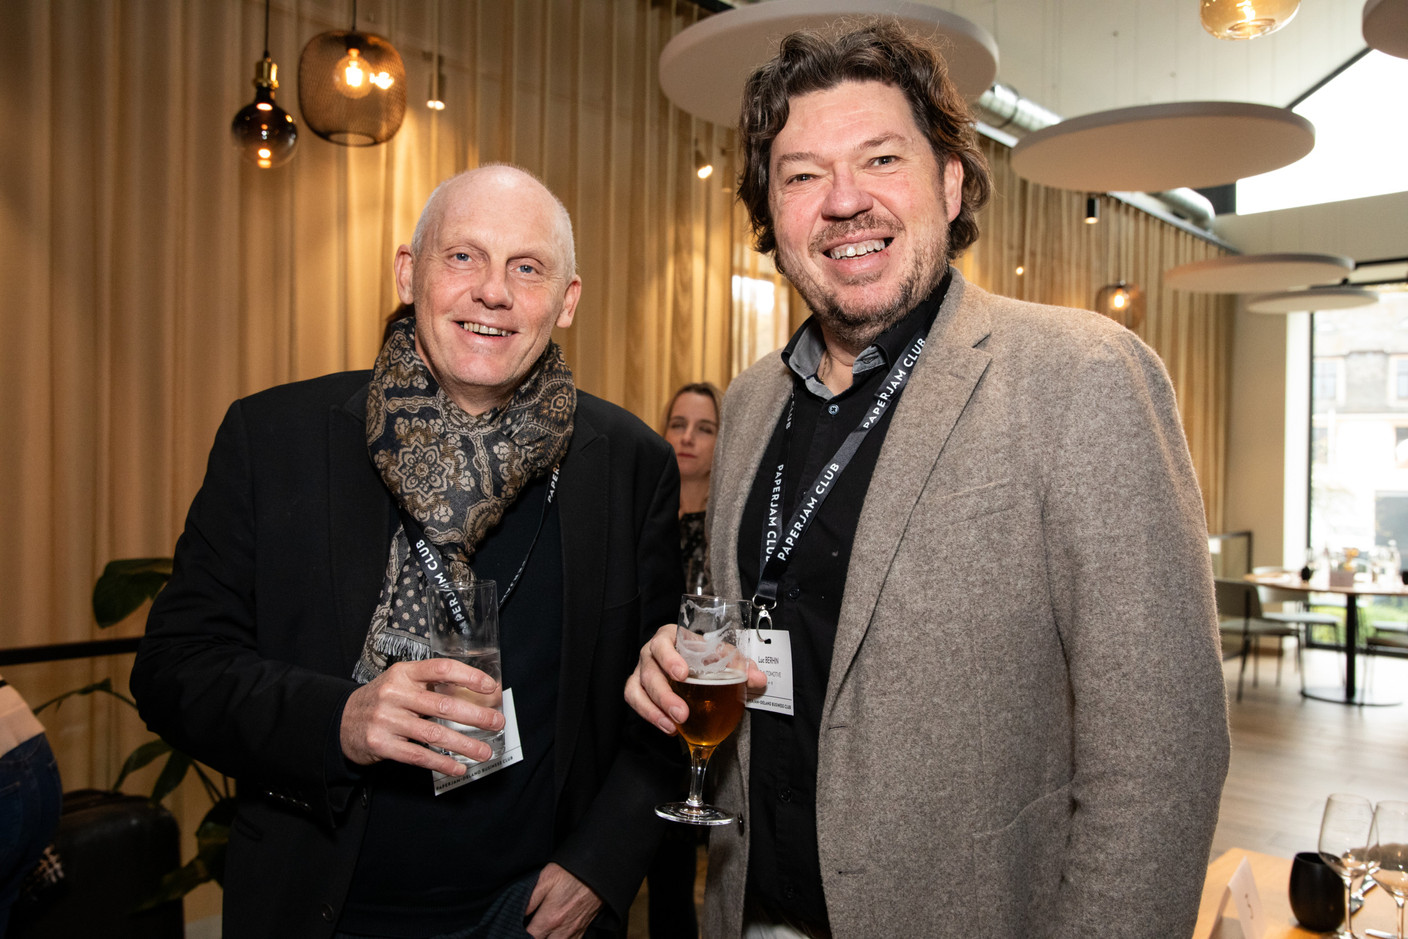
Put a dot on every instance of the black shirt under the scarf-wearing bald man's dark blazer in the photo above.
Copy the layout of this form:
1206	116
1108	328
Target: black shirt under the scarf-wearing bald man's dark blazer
433	864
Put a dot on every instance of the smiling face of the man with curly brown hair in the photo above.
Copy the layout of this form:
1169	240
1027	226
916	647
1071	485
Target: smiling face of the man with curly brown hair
861	208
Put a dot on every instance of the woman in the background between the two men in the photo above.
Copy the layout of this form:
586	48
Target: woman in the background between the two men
692	429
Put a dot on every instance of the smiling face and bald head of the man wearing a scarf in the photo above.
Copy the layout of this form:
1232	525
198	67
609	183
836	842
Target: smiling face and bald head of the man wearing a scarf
491	281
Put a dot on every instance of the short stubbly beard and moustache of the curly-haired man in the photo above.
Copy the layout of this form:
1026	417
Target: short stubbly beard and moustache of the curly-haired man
858	326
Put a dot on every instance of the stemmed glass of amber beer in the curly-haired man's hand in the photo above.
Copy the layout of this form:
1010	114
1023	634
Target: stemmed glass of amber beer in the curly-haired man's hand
708	637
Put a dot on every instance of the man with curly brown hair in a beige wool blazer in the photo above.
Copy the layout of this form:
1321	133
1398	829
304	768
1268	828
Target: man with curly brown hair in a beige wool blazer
976	550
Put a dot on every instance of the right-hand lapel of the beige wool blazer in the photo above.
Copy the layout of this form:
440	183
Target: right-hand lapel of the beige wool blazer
944	381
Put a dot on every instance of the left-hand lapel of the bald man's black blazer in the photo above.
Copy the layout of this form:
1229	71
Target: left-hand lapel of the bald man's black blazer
360	526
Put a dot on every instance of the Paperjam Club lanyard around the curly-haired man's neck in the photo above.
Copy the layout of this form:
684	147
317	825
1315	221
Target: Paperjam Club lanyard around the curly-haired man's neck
781	543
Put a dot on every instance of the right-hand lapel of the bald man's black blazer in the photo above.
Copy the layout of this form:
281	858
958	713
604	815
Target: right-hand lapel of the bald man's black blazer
584	508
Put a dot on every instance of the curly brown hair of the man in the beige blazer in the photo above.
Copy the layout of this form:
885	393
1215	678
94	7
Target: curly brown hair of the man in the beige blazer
885	51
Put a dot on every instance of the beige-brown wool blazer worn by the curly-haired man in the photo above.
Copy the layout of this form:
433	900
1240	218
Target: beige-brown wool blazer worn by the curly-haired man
1024	733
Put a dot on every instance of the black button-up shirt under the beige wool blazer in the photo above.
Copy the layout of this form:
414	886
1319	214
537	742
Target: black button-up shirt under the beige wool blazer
784	866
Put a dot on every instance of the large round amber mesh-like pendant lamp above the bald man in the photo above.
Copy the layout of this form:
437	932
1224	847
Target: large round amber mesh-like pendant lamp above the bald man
353	87
